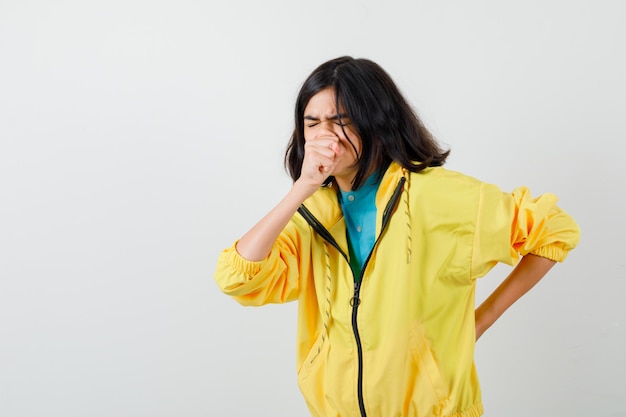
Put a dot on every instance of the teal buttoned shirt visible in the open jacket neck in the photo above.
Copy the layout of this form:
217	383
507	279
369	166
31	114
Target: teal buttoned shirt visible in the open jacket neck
359	211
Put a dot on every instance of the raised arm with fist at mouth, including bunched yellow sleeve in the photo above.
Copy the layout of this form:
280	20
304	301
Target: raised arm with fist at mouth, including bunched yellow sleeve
263	265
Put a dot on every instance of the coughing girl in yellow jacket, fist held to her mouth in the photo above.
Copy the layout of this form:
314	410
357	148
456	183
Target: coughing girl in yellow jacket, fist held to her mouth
381	247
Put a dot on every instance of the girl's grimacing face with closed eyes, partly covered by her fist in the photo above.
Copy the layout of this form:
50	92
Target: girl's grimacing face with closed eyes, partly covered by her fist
323	119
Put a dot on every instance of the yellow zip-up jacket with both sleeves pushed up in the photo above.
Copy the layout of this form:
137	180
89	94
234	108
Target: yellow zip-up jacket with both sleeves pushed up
400	341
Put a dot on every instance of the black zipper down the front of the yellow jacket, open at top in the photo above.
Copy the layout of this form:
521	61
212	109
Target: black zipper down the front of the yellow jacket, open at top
355	300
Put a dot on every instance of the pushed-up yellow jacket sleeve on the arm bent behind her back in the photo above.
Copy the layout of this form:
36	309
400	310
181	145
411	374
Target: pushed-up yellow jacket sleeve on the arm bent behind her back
509	225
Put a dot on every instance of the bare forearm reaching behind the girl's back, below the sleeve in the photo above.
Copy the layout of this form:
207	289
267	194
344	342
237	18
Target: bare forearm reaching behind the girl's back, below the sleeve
524	276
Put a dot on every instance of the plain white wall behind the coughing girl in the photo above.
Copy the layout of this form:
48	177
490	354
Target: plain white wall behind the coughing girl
140	138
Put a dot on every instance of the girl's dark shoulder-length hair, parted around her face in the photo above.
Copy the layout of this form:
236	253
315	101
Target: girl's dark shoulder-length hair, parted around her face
389	128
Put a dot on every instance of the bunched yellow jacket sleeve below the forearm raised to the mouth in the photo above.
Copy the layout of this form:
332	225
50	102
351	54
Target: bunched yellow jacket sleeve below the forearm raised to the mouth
272	280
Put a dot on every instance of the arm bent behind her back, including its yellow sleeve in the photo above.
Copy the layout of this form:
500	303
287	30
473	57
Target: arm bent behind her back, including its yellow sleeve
536	228
